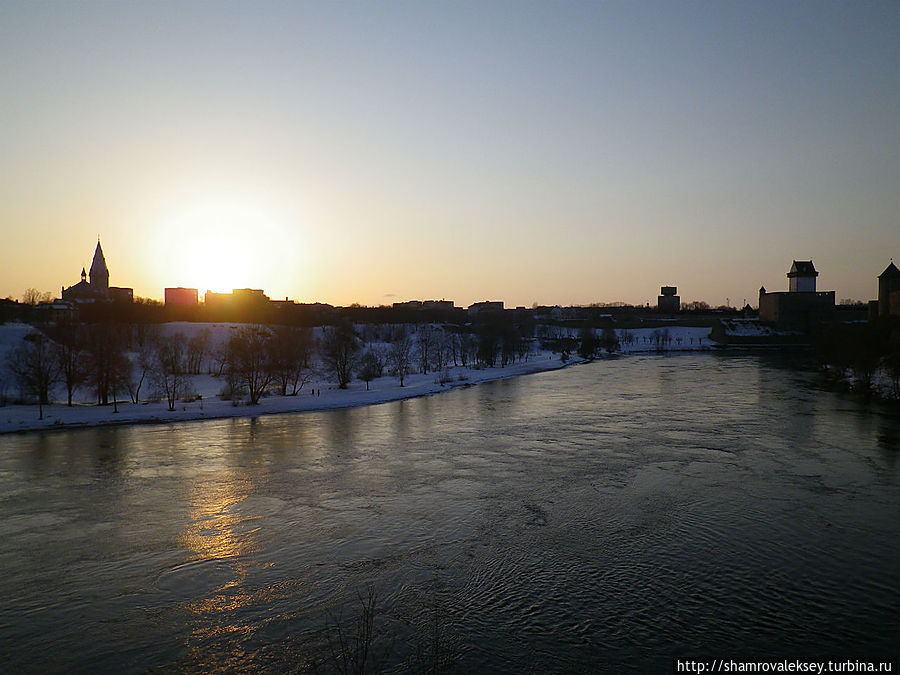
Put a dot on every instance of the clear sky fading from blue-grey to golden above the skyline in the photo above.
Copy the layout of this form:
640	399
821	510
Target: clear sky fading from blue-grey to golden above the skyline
531	152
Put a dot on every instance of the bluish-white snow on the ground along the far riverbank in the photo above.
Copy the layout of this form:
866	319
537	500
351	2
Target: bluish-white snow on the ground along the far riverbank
320	394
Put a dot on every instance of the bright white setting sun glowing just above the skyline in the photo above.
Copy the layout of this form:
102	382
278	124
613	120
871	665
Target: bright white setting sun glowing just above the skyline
220	245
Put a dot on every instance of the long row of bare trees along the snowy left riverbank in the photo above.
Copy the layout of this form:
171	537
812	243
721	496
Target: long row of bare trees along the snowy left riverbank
118	362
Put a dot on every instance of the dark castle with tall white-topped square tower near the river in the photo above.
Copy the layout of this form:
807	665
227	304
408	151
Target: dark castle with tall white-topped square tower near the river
802	308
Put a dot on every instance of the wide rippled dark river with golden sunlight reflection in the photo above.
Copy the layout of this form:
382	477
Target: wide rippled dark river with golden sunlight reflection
608	517
